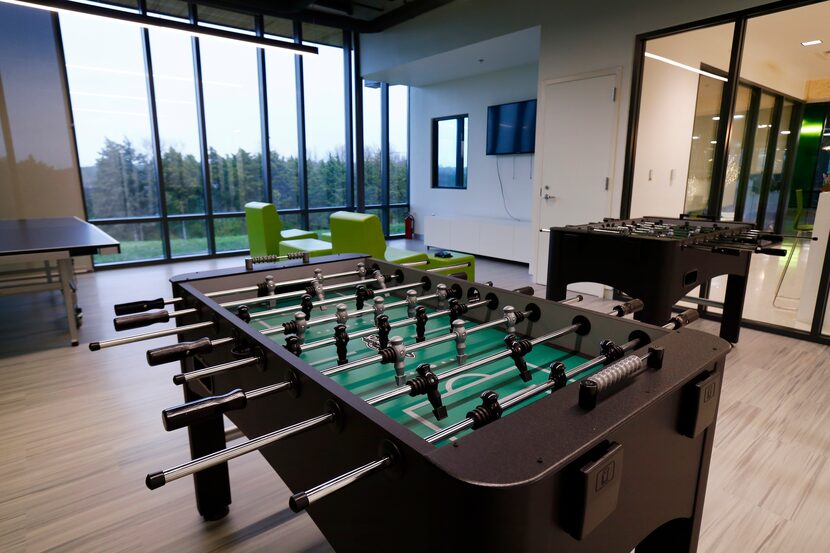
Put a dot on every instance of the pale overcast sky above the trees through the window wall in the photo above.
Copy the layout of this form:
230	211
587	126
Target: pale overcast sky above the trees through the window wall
105	68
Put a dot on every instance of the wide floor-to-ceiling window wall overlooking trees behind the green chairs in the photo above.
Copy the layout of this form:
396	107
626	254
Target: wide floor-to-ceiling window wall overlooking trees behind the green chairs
171	131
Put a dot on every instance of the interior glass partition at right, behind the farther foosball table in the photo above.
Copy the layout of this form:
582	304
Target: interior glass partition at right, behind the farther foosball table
770	172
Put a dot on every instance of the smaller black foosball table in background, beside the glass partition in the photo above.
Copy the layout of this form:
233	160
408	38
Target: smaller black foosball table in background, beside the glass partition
659	260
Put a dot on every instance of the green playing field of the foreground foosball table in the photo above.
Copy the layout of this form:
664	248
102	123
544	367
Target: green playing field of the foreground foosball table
460	393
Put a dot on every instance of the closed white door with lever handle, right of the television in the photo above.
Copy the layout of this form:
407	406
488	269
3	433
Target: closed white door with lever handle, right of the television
579	132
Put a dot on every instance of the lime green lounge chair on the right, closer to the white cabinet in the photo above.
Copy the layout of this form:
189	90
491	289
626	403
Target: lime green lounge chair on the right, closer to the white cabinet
361	233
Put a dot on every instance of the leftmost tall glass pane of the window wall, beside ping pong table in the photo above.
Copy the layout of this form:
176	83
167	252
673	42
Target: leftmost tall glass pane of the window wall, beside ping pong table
107	83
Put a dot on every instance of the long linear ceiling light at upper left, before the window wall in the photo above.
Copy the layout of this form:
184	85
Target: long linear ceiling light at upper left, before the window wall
132	18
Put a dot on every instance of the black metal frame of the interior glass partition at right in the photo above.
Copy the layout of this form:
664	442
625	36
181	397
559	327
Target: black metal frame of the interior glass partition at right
739	19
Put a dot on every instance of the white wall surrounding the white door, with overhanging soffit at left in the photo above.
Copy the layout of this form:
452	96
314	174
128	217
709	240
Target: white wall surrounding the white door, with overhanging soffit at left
577	38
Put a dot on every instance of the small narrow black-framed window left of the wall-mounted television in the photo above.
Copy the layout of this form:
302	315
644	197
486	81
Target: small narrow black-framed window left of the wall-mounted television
449	152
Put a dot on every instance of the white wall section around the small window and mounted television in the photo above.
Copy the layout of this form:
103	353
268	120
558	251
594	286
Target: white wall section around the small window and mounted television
472	96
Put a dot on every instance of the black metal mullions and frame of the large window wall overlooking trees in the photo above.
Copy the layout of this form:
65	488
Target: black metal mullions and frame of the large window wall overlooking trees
353	99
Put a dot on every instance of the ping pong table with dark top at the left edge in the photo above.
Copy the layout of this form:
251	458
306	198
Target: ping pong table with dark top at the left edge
28	241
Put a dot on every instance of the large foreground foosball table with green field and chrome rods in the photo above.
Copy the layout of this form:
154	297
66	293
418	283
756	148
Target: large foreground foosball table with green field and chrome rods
411	411
